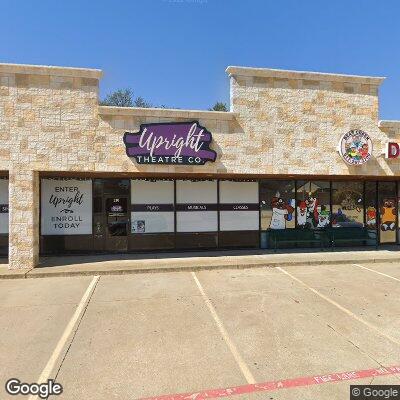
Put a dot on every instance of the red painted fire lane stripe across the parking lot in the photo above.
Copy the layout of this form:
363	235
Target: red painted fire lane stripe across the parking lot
282	384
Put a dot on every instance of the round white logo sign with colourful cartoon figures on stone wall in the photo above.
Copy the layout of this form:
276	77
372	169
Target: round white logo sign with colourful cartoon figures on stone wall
355	147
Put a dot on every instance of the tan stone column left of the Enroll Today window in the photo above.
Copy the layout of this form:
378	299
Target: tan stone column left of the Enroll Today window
23	249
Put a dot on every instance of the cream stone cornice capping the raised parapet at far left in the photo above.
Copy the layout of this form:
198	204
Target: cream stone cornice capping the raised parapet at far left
51	70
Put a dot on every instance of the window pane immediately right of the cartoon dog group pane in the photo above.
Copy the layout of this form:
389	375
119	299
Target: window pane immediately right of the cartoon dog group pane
347	204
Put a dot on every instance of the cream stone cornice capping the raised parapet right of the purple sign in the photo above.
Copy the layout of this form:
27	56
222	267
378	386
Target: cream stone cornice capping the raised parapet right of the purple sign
307	75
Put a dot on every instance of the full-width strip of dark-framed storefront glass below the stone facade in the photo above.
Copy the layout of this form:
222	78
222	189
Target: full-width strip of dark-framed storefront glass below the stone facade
154	214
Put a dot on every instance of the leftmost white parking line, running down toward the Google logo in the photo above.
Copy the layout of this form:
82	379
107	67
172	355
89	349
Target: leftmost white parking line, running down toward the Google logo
70	328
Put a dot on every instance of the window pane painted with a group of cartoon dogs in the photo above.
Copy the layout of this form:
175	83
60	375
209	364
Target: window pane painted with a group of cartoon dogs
313	204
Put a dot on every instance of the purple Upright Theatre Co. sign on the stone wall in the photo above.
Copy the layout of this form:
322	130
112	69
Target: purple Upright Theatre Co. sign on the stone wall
185	143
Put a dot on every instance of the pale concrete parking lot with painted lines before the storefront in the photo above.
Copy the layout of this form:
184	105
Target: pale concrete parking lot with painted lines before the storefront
262	333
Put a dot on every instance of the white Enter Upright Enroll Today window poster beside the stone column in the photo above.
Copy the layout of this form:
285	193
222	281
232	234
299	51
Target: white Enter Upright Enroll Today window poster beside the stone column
66	207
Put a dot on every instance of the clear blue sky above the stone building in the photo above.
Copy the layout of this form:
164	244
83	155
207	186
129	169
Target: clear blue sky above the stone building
175	52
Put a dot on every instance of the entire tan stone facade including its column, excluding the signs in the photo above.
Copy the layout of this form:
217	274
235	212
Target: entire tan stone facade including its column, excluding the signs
281	122
